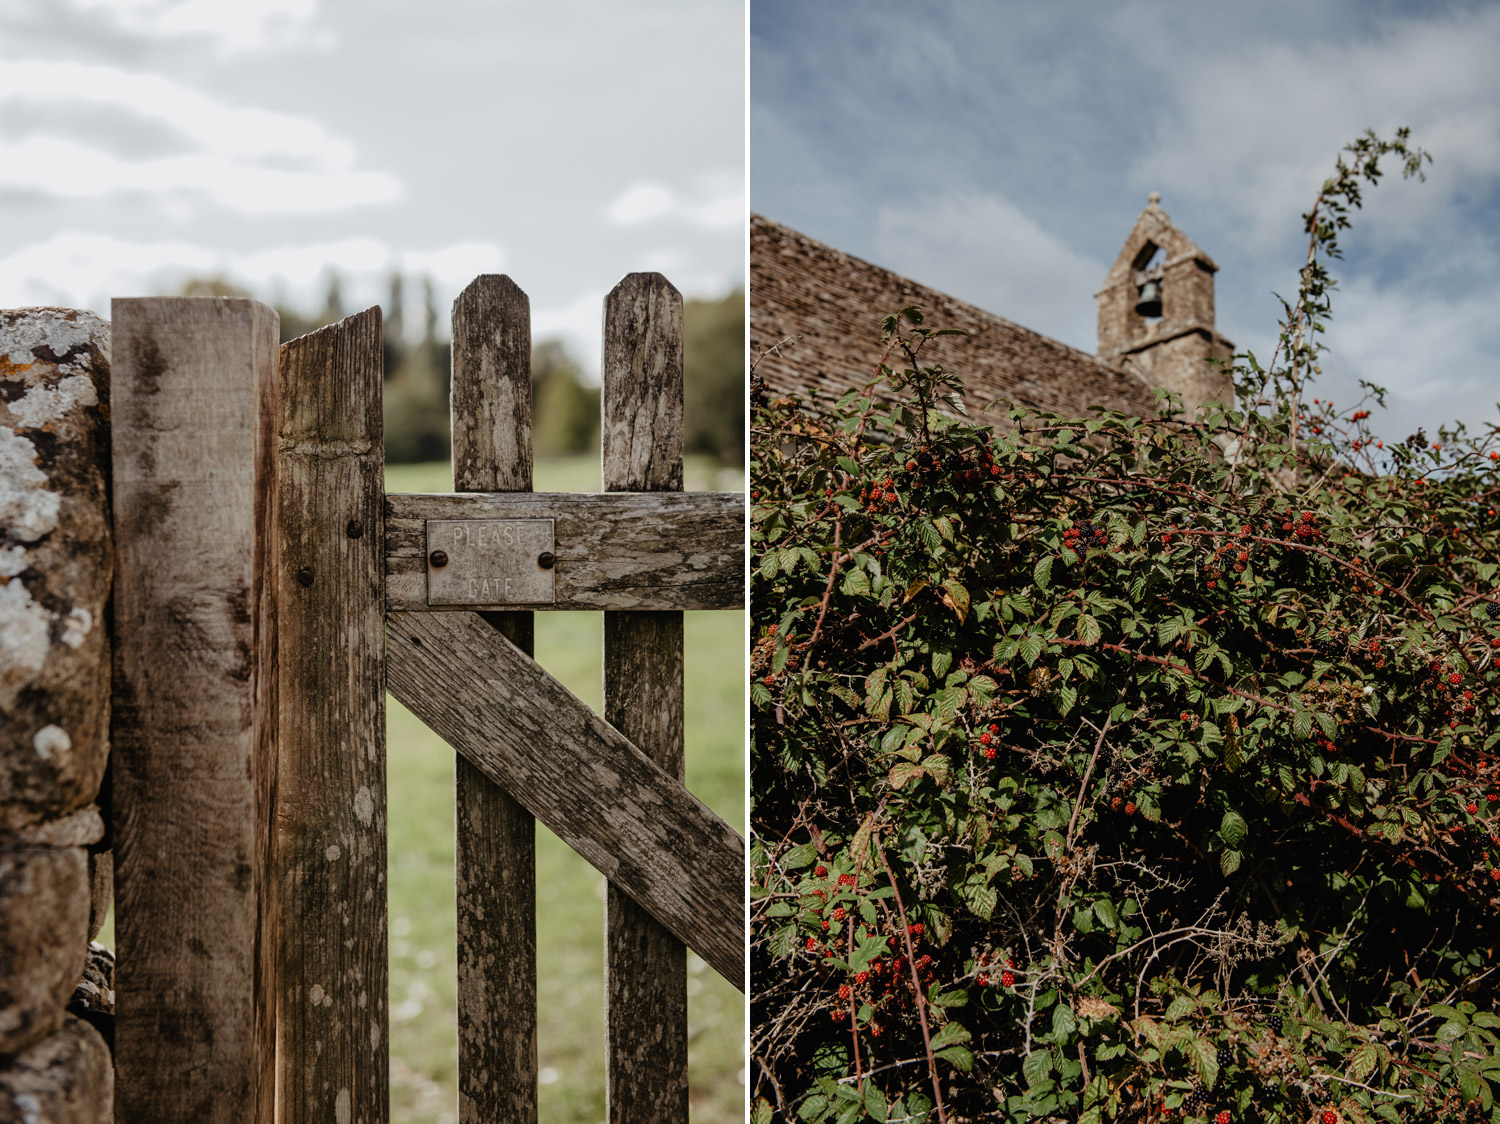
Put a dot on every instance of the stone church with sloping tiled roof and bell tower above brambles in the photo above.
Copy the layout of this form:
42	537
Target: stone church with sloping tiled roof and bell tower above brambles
815	325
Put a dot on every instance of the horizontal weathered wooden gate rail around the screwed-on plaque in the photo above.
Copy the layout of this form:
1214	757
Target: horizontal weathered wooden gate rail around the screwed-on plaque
616	551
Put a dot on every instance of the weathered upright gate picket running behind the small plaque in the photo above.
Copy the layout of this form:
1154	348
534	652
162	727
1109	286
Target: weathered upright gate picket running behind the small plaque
496	837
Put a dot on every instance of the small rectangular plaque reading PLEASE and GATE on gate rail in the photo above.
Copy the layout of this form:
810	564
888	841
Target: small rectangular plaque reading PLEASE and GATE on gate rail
491	562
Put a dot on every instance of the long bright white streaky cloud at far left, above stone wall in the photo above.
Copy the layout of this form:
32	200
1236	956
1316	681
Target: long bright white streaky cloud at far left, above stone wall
239	161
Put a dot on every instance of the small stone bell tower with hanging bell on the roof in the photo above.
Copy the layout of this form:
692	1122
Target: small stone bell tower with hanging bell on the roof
1157	313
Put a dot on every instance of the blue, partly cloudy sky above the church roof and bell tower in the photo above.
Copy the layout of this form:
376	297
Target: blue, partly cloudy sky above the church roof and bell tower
1001	152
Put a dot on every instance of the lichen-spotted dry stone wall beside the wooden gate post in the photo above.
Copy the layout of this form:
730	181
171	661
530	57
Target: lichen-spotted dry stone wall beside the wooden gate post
55	717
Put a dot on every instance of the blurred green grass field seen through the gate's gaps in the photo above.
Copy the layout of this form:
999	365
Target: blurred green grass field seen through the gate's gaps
424	1020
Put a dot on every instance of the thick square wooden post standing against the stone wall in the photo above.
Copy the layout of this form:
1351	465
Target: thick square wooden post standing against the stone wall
194	706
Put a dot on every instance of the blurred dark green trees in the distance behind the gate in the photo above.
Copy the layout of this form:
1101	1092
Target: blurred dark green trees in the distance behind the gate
565	401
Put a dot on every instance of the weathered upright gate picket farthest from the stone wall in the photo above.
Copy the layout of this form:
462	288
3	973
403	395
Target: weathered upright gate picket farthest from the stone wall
646	967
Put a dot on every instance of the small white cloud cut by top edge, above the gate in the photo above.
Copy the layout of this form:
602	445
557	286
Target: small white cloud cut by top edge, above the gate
232	28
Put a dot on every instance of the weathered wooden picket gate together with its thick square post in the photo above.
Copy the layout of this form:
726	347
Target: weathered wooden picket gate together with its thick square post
269	592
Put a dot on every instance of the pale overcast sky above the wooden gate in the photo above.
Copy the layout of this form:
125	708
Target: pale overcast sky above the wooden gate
565	143
